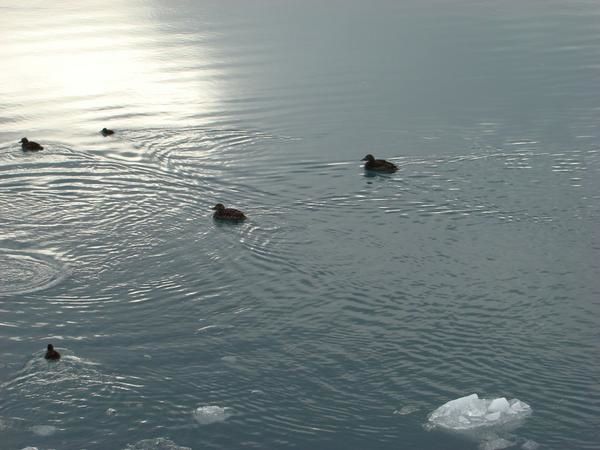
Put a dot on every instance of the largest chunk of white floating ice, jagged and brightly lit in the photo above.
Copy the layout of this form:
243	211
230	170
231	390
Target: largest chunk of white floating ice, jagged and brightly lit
472	412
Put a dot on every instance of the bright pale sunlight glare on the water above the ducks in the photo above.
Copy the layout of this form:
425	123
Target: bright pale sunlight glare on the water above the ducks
62	59
